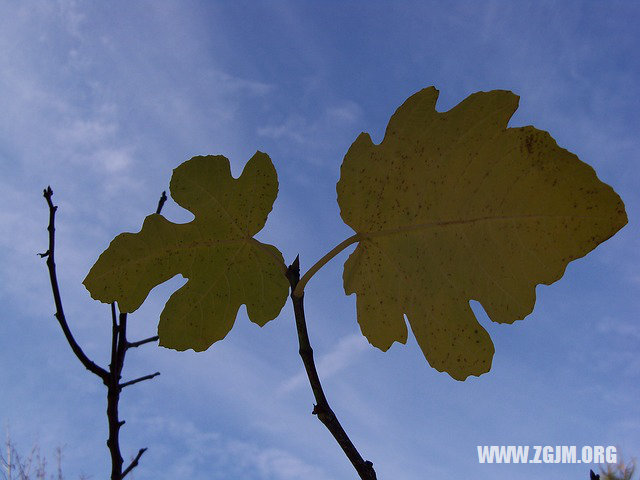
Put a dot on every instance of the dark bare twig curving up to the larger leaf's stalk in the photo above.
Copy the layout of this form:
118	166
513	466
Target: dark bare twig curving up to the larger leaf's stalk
322	409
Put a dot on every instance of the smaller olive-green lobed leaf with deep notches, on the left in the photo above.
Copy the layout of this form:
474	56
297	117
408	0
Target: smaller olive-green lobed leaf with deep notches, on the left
225	265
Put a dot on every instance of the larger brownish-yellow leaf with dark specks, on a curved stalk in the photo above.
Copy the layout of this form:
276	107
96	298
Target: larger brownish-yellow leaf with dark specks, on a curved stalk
454	206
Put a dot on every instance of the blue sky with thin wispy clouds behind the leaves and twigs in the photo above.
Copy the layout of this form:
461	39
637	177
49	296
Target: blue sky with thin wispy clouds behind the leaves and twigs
102	101
